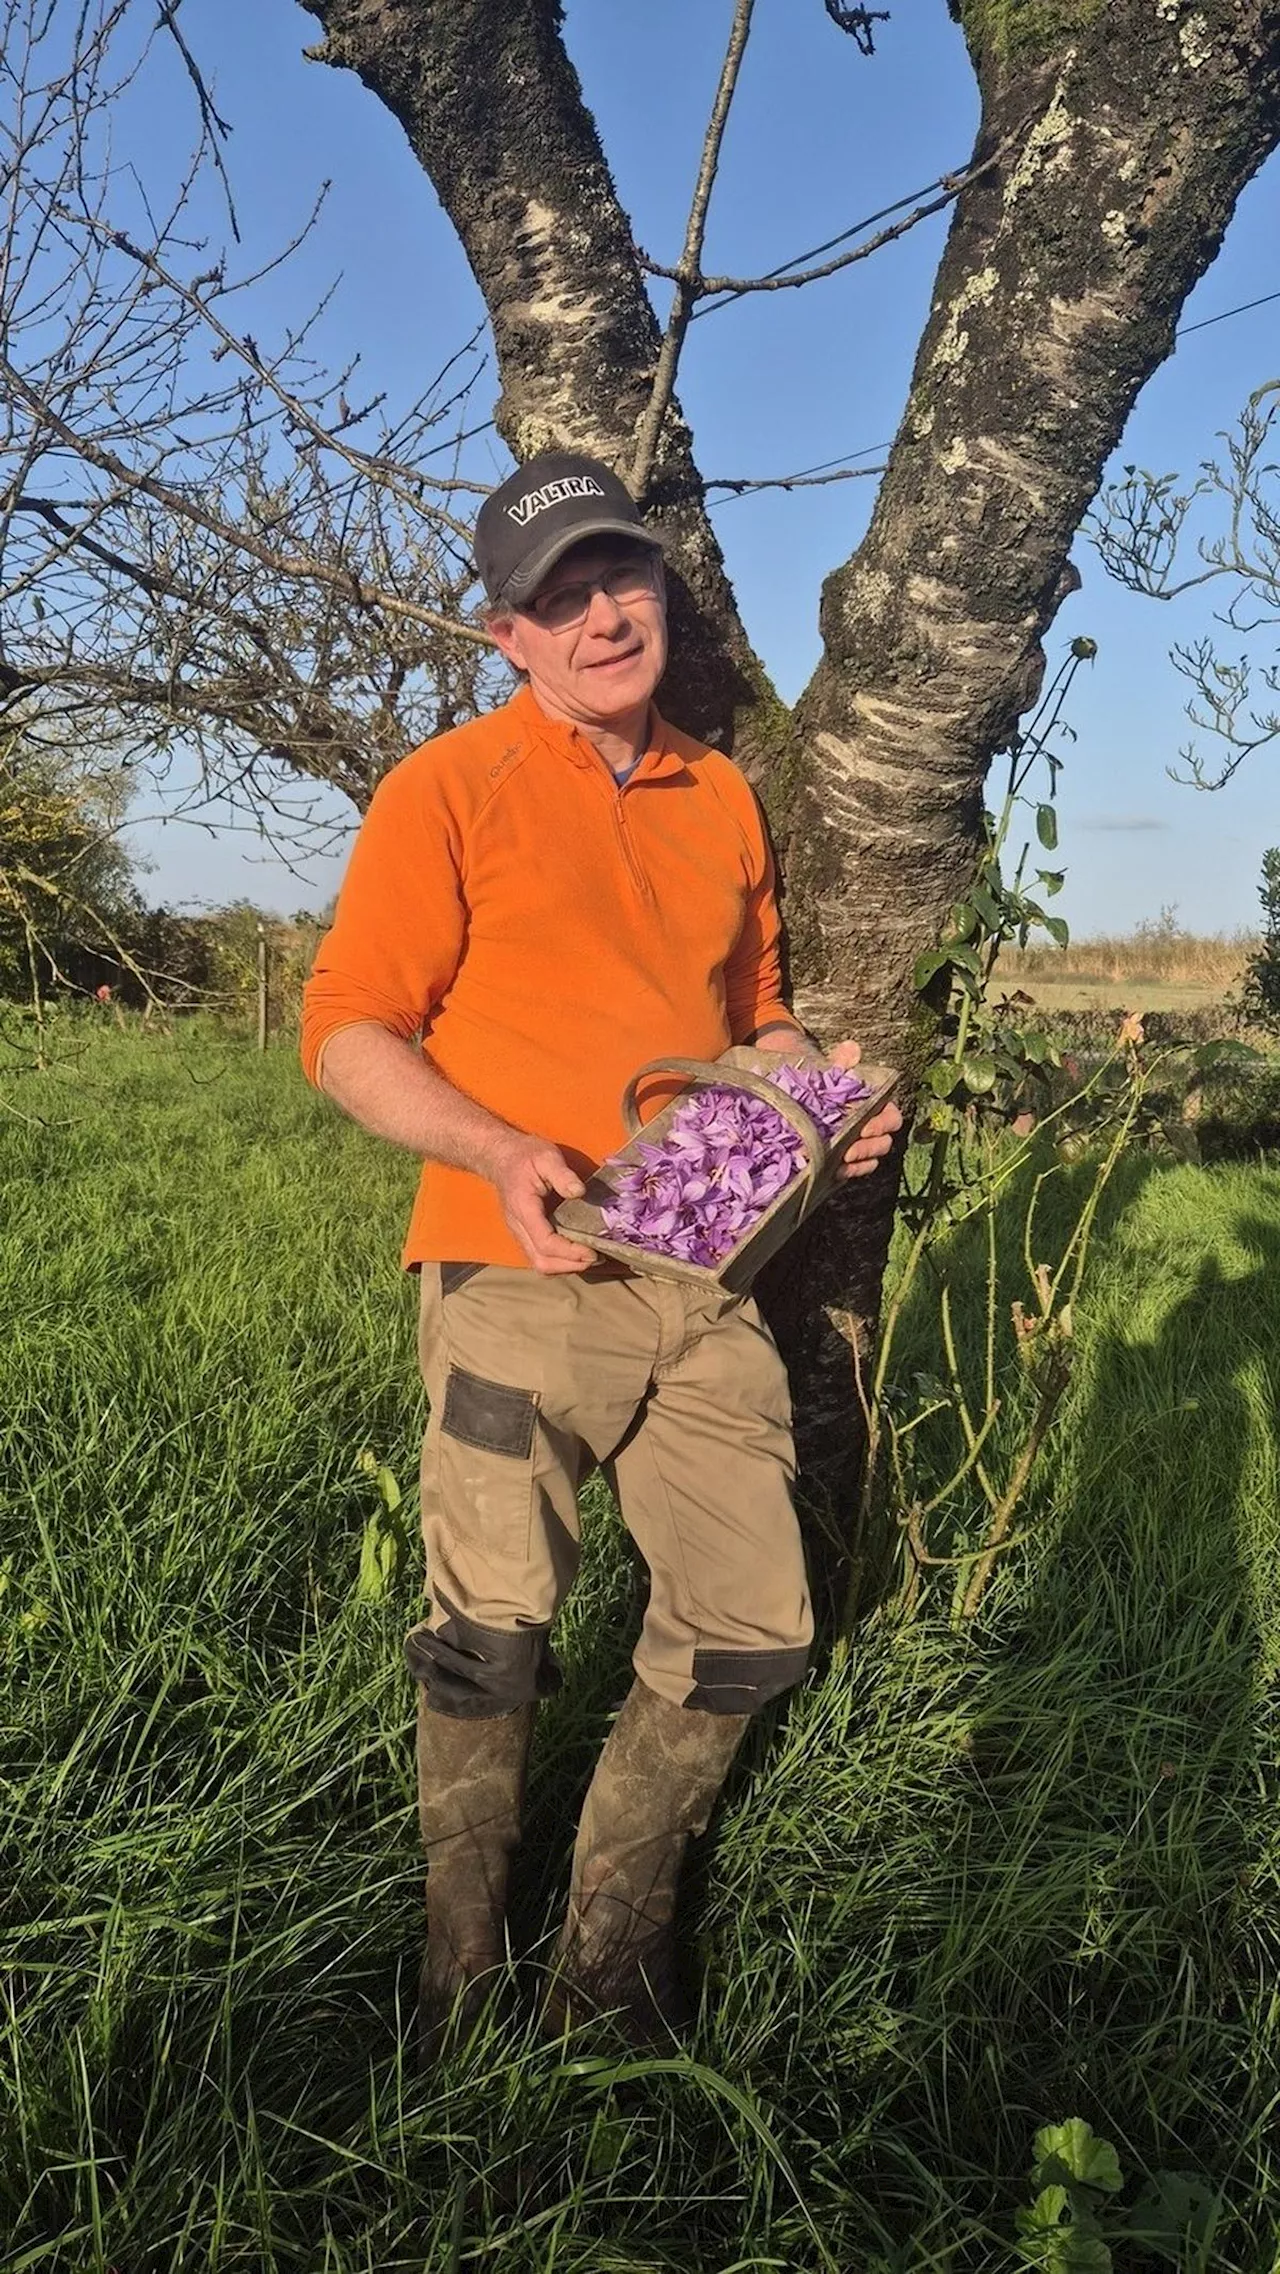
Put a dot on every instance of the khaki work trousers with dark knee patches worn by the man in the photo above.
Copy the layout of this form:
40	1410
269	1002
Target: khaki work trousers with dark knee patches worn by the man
681	1397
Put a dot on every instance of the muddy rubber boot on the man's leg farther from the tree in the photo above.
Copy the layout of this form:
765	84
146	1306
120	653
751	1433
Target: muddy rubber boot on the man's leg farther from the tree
472	1789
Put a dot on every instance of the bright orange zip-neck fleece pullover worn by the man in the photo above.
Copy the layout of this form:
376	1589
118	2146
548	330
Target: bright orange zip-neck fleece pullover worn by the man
547	933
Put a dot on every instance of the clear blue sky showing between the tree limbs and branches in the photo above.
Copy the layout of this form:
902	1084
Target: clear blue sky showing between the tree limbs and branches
781	381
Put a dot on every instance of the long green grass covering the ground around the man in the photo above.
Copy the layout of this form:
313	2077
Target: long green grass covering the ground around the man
965	1886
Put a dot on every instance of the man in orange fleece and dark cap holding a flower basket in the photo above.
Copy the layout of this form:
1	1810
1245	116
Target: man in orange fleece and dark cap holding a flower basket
535	906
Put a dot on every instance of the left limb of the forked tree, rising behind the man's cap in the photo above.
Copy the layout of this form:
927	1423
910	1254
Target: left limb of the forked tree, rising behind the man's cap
494	113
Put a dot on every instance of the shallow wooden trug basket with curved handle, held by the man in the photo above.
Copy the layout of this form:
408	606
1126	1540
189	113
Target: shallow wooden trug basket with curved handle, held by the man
790	1209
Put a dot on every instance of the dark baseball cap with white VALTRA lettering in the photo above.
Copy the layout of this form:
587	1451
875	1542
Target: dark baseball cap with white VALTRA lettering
551	504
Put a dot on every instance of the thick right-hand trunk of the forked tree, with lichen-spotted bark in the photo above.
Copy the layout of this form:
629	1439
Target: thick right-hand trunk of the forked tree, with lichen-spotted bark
1129	133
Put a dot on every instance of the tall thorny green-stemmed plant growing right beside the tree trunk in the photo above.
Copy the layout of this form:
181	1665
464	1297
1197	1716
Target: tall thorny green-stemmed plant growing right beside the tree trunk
990	1099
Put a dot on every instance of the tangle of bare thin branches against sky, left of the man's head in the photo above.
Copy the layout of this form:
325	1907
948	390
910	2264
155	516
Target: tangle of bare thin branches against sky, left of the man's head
244	576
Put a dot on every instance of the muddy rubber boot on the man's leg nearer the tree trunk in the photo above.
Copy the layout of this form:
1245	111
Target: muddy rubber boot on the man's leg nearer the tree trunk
656	1784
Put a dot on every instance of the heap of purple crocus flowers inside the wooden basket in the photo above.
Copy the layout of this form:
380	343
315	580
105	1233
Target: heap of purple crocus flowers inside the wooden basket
724	1159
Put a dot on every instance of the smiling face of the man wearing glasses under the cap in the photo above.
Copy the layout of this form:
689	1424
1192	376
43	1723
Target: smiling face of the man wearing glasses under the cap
592	654
